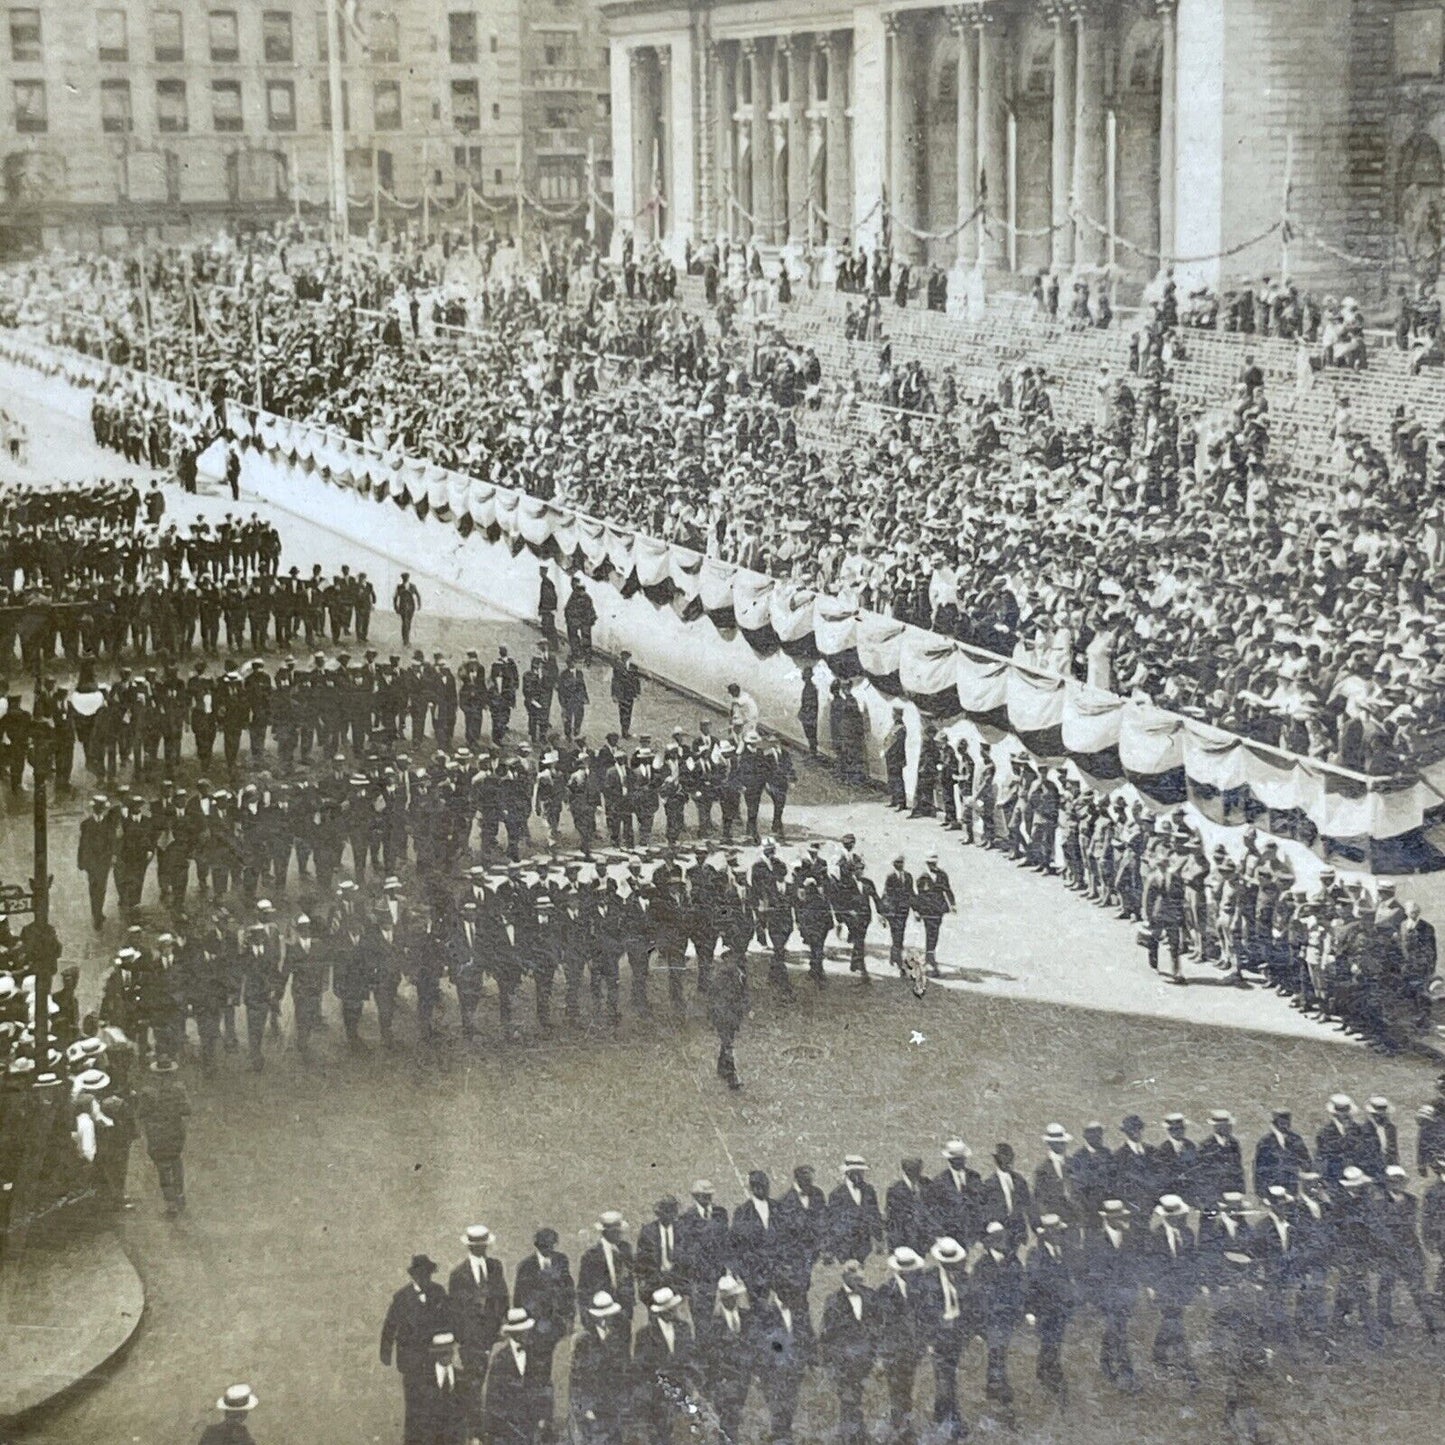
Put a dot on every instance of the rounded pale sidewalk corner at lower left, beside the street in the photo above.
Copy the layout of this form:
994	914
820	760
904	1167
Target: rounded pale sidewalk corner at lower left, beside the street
73	1306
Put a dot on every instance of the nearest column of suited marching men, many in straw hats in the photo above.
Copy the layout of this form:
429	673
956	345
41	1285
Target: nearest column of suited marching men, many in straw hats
710	1310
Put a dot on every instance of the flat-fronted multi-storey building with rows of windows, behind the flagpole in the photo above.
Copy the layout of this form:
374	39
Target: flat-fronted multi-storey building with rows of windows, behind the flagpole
154	115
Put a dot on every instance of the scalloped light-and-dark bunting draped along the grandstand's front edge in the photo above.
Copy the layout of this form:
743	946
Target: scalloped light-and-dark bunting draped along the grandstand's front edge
1108	738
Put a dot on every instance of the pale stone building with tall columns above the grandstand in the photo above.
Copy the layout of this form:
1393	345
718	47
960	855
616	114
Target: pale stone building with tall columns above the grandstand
1171	124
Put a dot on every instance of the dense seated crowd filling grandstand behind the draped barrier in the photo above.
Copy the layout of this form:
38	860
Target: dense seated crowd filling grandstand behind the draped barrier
1148	548
